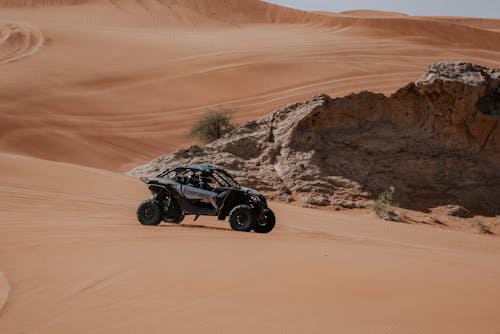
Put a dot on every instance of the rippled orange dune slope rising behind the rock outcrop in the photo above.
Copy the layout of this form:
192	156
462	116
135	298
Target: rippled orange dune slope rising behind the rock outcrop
122	81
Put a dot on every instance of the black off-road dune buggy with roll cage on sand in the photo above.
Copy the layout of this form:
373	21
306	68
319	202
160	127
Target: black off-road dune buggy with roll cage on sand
203	190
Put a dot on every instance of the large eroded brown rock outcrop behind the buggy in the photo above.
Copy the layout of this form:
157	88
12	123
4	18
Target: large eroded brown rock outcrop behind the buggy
437	141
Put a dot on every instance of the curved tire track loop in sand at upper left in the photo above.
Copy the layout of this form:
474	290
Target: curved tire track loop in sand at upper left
18	40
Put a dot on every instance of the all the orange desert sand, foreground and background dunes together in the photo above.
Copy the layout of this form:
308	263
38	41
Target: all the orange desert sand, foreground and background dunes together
91	89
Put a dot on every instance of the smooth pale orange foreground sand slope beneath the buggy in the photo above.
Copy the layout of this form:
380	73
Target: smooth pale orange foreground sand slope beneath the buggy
78	262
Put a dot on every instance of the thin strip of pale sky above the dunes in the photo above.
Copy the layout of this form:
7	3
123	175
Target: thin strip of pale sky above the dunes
475	8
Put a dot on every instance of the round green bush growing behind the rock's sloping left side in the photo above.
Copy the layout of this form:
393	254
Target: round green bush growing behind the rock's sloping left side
213	125
